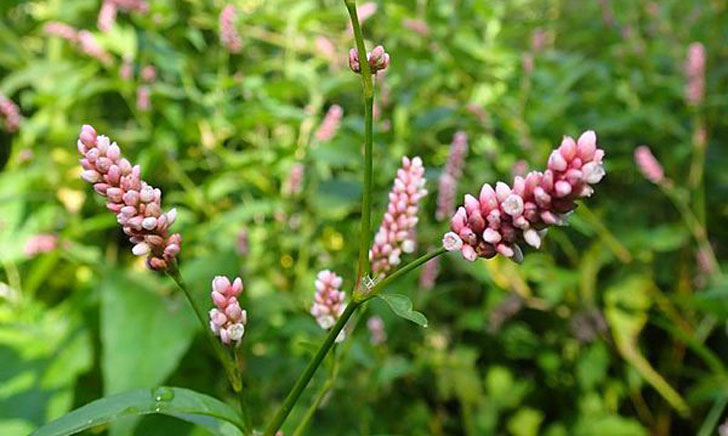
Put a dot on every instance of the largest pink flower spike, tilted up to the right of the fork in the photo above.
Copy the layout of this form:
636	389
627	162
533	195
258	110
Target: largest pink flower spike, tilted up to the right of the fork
502	217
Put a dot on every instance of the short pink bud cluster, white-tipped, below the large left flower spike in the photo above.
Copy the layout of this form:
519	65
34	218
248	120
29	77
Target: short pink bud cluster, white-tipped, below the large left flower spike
227	319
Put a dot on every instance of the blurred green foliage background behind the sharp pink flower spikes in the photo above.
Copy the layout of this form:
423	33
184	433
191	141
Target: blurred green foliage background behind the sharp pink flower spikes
601	332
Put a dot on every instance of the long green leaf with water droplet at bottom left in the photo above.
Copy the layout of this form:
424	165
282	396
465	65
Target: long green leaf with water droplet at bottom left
178	402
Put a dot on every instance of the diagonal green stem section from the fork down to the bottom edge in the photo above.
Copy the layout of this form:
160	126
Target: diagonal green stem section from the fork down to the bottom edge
310	370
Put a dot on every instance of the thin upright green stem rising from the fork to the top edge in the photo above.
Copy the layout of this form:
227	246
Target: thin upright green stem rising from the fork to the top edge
368	93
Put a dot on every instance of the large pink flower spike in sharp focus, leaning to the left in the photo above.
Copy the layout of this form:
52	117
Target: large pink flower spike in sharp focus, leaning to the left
137	204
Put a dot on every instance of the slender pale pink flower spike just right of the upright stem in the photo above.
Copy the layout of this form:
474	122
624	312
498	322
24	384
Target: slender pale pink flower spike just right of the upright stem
396	233
